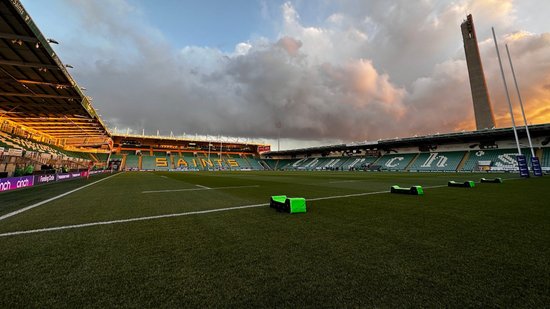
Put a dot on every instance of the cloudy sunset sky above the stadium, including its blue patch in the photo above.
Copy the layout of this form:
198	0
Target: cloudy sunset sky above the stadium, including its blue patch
311	72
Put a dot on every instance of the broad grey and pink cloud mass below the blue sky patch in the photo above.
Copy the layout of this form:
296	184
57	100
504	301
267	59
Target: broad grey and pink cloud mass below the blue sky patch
373	69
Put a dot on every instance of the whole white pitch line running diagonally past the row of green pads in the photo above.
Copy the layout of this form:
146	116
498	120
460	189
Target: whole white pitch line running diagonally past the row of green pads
199	212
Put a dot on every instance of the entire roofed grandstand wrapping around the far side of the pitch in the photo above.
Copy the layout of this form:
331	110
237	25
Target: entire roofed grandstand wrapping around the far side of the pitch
67	131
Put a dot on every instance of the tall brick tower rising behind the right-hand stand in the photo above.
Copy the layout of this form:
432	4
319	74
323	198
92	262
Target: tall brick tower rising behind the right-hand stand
482	104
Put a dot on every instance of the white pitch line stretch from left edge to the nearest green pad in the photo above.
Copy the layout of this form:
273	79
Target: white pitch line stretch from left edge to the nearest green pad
75	226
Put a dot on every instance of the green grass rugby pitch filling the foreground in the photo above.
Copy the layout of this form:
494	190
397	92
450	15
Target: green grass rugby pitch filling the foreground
488	246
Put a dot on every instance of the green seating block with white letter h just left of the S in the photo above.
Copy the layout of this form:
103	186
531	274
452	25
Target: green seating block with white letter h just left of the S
437	161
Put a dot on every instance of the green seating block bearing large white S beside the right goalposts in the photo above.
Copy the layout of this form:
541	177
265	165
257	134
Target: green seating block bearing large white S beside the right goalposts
504	159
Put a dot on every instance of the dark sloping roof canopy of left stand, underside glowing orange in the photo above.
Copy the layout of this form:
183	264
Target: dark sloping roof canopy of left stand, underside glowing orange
36	90
